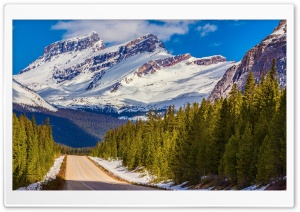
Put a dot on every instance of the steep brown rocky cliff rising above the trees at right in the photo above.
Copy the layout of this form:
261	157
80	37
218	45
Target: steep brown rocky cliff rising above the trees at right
257	59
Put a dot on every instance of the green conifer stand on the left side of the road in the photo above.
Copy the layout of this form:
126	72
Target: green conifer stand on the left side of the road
34	150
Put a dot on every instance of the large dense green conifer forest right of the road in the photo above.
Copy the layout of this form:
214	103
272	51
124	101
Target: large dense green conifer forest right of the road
241	139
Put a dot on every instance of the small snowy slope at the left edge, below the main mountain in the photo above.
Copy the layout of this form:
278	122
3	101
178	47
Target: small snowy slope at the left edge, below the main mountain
27	97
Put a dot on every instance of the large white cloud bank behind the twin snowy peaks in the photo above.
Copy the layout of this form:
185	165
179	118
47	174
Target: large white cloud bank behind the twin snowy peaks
117	31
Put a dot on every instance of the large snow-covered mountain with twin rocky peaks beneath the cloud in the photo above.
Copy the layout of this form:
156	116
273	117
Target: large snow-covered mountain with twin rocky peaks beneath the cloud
133	76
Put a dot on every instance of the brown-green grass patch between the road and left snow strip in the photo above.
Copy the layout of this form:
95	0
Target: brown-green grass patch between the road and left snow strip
59	182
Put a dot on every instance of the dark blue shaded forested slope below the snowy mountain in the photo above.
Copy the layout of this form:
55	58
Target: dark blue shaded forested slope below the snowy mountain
74	128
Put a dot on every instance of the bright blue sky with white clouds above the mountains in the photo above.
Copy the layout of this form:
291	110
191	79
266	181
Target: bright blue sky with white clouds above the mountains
200	38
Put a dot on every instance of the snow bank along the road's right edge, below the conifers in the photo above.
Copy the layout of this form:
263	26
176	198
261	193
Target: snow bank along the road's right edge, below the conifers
115	167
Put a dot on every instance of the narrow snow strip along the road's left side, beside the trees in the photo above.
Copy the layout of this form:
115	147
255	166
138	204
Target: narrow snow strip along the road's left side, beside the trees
51	175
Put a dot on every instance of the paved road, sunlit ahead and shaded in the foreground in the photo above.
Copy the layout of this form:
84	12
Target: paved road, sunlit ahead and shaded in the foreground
82	174
